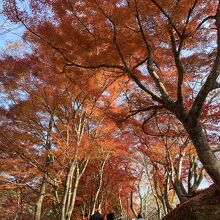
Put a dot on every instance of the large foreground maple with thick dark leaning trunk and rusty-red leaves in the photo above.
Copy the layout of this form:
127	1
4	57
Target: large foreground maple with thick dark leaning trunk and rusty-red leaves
164	48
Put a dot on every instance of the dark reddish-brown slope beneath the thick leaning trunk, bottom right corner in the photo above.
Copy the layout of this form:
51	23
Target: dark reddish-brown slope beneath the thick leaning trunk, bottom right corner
203	206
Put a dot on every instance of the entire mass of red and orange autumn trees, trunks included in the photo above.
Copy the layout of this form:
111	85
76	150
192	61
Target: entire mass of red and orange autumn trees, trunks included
106	94
